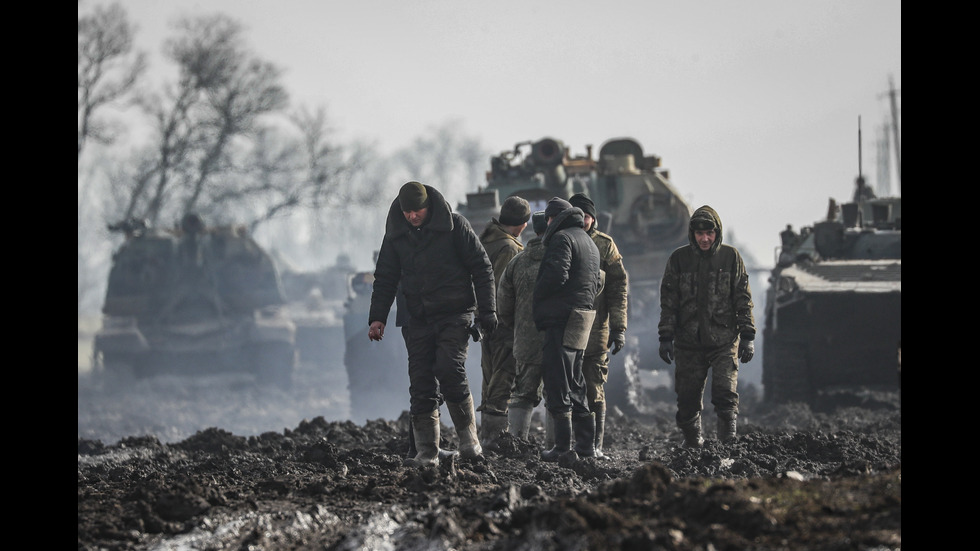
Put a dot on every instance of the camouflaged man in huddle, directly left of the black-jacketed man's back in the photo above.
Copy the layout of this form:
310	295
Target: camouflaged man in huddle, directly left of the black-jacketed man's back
515	292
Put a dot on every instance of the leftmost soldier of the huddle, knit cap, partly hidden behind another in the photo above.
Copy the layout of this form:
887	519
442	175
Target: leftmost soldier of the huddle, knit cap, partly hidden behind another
502	241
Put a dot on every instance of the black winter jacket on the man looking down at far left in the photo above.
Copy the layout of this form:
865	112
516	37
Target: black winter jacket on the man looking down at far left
442	267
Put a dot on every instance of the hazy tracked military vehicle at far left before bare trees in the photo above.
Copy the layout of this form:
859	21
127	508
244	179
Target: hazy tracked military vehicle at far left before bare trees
193	300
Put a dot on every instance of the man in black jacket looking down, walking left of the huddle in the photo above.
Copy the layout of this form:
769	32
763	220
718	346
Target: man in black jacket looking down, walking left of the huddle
445	275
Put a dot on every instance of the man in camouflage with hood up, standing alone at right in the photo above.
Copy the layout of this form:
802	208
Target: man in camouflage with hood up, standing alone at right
706	323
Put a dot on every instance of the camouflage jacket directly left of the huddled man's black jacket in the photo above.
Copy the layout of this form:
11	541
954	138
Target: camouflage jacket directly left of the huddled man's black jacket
514	296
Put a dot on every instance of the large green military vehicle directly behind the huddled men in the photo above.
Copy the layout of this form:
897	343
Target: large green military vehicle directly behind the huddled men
636	204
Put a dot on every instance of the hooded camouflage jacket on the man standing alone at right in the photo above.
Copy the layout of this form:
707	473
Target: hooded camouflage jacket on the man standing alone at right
705	300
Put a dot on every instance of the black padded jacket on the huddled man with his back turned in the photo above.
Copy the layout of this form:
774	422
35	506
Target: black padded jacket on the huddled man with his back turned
569	274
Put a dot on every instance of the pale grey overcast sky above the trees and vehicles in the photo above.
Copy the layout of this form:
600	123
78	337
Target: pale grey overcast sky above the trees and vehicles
752	105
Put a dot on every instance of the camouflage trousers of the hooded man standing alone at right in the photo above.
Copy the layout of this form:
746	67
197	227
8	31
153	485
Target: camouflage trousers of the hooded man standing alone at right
691	374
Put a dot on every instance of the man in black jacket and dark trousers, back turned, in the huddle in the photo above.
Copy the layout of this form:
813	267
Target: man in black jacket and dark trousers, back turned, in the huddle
564	294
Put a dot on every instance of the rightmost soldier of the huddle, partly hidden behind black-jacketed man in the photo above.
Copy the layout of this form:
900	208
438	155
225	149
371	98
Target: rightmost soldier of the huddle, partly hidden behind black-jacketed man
609	328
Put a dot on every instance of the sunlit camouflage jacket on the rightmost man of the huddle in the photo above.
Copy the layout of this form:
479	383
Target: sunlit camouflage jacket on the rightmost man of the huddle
610	303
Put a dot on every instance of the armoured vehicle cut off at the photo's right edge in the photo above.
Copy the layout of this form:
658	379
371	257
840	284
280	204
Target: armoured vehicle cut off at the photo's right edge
833	315
